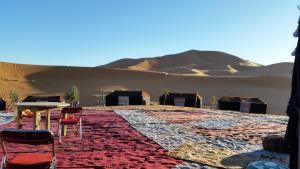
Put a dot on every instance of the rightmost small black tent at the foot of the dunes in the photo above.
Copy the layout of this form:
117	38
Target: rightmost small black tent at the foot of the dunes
242	104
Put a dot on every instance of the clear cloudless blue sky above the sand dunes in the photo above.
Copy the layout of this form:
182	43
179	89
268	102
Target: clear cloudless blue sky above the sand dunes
95	32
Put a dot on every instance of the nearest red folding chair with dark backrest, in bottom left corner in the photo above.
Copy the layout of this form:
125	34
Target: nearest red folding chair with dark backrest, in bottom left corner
27	160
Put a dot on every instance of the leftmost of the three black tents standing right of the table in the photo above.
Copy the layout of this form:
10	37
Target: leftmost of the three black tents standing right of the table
118	98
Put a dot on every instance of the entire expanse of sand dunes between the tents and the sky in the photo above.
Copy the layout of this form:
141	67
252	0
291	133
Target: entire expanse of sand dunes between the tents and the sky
209	73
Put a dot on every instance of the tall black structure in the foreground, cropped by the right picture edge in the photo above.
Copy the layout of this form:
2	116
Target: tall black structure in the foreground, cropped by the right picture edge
292	132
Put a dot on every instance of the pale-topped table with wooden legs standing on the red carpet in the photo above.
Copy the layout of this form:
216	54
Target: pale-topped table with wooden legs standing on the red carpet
36	108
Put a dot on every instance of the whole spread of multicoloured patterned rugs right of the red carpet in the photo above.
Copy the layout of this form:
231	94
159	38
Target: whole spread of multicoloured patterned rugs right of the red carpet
215	138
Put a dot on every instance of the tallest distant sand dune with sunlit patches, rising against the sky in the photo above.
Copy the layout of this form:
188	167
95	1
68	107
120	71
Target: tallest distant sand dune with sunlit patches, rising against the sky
203	63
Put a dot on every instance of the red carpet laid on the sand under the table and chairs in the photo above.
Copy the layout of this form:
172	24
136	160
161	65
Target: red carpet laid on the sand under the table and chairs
108	142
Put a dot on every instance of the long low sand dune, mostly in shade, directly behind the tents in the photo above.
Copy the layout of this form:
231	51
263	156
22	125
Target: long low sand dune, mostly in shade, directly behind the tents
51	80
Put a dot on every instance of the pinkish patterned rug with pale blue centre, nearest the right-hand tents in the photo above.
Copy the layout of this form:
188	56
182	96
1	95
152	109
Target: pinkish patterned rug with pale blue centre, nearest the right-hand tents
248	128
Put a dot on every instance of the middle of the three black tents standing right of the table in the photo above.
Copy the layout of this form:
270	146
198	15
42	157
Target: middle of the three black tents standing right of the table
181	99
